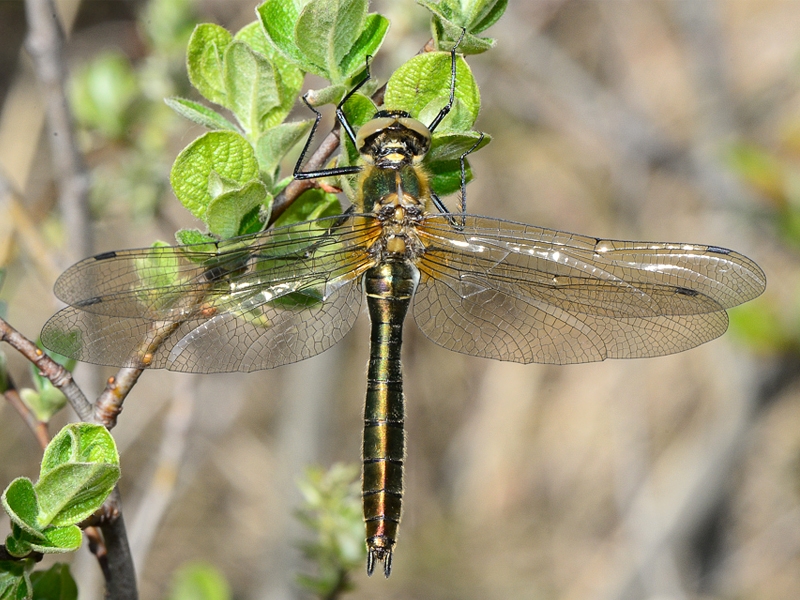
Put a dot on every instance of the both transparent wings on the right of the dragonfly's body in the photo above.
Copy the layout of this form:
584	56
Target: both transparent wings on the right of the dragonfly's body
515	292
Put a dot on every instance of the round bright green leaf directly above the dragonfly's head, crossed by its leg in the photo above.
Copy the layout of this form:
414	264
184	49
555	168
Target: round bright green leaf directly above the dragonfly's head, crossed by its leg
422	87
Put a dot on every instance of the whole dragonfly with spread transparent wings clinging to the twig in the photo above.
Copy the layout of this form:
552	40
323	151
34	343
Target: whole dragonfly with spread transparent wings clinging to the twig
476	285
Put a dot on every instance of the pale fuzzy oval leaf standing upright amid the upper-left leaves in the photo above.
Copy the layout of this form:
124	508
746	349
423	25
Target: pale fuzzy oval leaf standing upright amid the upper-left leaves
250	85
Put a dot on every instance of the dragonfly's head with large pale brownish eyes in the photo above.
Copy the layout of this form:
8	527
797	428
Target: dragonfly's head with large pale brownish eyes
393	139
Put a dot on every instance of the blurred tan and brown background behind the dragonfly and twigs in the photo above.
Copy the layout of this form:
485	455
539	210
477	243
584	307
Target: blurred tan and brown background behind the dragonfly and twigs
668	478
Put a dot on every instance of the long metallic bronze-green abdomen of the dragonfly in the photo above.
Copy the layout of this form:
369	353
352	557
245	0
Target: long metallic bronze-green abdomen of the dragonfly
389	287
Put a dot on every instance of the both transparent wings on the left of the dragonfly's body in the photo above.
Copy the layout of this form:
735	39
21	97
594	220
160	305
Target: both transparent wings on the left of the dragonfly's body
244	304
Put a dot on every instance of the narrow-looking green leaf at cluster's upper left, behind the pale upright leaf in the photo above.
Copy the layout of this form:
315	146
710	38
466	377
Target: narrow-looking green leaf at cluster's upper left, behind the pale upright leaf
205	60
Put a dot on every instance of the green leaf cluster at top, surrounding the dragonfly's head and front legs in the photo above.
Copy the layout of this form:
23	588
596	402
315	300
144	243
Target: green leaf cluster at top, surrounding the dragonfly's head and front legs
229	176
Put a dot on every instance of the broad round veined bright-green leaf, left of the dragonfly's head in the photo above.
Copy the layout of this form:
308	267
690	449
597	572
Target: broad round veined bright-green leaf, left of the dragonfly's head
225	153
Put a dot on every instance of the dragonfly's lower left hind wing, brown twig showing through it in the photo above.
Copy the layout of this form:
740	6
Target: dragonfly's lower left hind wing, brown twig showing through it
261	336
